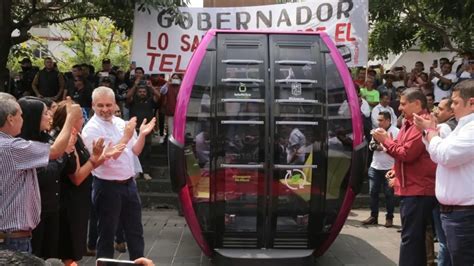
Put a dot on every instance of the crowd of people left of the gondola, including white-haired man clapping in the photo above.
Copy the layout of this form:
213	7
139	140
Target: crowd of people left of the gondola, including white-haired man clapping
71	147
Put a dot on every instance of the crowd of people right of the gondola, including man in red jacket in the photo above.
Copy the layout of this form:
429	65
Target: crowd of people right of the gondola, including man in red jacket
421	131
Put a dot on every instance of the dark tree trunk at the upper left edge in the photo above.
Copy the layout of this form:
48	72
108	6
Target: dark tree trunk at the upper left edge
5	43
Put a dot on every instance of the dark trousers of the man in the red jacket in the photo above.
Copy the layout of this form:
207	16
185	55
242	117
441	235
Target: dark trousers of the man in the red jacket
416	212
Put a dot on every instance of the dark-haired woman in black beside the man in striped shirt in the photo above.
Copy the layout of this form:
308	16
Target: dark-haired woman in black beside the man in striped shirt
37	120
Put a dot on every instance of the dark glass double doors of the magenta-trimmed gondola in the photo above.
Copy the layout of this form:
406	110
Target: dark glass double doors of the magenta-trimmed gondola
268	121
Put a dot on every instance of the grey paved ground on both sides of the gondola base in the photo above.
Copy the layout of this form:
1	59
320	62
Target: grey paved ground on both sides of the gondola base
168	241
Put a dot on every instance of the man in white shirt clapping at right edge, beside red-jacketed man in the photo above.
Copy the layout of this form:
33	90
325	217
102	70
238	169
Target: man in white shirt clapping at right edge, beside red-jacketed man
454	173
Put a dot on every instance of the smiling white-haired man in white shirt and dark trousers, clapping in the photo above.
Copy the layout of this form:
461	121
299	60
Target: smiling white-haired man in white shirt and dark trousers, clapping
114	191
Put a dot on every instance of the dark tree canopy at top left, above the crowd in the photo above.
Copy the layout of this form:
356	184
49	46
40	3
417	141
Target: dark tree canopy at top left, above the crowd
17	17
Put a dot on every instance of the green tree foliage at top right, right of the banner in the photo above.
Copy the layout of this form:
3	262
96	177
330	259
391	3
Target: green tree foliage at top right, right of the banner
431	24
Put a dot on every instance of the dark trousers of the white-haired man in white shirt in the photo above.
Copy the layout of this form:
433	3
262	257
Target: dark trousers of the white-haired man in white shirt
115	202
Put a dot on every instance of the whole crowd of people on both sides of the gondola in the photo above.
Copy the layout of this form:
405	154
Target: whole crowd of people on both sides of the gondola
73	143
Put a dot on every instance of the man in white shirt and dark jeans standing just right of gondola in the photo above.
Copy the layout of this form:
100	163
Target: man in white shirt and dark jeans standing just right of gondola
381	164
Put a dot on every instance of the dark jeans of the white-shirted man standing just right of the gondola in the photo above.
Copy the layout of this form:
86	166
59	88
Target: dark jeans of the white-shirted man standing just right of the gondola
377	179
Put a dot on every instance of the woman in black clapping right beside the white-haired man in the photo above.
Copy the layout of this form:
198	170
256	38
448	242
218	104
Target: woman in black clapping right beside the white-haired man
75	201
